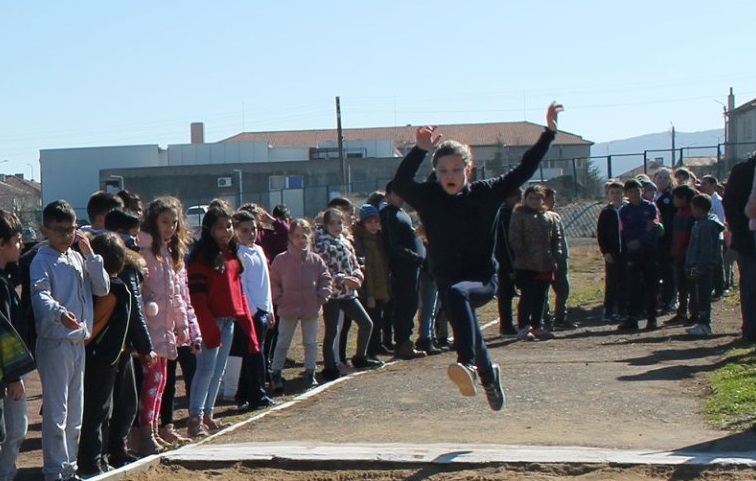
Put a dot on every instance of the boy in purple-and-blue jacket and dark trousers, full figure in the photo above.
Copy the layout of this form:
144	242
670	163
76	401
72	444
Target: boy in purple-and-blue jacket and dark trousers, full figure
639	219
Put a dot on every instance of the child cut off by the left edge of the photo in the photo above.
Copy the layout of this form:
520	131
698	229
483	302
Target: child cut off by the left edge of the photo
13	397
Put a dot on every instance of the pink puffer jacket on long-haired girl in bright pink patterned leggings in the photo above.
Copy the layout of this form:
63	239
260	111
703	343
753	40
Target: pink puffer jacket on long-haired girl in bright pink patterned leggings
166	298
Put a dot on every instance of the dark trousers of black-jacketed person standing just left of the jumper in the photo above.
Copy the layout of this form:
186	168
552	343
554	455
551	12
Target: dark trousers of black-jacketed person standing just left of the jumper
404	289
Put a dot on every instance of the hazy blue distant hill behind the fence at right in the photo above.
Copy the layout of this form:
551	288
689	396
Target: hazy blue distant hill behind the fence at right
696	144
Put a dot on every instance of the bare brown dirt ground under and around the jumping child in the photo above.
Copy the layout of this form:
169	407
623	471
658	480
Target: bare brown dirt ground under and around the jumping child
589	387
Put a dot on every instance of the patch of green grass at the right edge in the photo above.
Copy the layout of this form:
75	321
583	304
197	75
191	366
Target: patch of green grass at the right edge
732	403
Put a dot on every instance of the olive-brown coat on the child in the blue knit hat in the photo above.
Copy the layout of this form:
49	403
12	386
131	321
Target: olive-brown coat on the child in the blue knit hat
370	246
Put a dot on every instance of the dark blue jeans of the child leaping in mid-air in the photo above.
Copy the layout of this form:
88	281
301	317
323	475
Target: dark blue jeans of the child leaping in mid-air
460	301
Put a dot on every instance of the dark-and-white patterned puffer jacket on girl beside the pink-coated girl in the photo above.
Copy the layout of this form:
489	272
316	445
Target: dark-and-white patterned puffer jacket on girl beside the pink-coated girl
341	260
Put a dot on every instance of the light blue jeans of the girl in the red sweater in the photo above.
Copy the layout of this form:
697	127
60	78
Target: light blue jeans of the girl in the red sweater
211	364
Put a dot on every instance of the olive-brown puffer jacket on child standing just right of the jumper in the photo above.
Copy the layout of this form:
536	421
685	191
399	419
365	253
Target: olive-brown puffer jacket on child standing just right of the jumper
535	239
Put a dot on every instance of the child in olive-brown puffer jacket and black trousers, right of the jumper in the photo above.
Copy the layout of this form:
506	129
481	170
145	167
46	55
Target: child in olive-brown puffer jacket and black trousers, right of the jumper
536	242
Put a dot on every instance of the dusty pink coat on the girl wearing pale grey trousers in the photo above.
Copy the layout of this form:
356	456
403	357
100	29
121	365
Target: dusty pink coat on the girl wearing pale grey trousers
300	283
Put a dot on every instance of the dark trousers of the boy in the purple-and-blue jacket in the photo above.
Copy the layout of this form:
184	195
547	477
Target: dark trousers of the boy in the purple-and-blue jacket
643	282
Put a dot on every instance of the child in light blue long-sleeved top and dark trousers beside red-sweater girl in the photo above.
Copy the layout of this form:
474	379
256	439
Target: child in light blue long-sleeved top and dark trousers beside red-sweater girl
255	280
